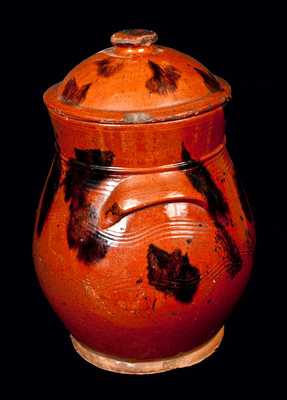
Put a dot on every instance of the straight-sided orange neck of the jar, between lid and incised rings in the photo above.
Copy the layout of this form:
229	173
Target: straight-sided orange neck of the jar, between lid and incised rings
139	145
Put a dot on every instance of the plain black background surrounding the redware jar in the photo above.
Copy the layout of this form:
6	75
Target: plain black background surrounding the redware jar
245	47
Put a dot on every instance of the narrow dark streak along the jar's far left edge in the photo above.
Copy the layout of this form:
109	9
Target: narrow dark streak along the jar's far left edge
50	191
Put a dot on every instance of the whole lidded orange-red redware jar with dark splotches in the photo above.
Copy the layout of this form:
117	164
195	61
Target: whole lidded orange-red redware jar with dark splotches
143	240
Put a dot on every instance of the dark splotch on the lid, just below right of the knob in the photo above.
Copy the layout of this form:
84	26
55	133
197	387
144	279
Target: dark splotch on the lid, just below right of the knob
164	79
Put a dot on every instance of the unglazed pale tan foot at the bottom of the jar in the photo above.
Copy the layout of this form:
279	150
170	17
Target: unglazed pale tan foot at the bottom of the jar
123	366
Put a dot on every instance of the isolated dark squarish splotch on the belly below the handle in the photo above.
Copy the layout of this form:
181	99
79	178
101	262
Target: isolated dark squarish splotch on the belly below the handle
172	273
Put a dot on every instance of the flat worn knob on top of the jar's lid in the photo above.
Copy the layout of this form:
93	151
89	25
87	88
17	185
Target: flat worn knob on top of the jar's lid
134	37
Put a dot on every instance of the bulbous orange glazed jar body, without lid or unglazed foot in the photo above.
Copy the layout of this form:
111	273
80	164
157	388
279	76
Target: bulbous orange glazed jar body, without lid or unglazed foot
143	241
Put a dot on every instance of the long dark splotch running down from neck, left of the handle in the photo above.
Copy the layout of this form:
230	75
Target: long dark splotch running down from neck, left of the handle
81	229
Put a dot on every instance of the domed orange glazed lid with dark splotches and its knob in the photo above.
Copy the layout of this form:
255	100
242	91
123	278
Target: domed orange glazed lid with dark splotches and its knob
136	81
